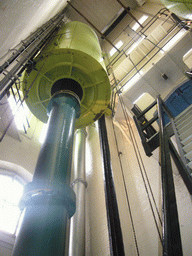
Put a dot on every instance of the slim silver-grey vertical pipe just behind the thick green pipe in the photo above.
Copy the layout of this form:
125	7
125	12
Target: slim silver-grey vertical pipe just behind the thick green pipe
77	225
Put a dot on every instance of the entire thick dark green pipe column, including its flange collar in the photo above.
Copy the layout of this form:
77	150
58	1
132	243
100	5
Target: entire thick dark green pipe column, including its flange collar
48	200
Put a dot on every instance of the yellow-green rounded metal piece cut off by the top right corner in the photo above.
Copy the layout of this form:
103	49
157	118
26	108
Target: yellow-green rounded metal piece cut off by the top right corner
182	8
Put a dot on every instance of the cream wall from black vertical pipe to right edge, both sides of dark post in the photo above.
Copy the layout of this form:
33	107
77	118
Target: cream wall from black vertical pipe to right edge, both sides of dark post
146	233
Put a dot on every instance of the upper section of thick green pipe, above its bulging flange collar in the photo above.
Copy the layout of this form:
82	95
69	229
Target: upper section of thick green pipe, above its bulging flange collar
54	162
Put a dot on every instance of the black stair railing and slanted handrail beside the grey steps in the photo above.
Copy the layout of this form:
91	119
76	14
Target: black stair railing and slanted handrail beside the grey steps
151	143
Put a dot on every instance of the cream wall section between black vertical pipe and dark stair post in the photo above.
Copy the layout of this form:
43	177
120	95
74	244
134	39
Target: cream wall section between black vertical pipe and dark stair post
146	234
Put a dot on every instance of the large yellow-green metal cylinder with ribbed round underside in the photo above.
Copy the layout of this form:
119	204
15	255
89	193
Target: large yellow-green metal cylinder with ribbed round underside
75	54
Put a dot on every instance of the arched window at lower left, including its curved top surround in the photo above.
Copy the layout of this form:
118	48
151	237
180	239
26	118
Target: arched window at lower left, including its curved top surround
12	181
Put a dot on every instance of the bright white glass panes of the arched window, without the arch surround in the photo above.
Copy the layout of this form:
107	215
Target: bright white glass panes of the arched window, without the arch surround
10	194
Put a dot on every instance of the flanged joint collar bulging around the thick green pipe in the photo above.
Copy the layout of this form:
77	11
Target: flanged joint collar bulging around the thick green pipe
44	194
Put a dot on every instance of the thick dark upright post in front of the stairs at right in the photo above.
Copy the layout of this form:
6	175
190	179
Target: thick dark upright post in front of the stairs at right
171	232
